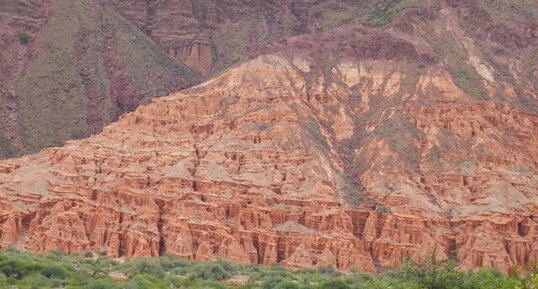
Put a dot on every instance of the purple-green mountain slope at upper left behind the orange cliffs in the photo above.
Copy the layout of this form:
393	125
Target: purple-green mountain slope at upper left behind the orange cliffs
69	68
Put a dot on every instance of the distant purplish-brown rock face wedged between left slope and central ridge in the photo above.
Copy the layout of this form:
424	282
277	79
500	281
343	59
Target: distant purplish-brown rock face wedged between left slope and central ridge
211	35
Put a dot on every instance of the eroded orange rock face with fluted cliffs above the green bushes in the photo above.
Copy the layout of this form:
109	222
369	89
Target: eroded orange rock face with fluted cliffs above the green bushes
275	161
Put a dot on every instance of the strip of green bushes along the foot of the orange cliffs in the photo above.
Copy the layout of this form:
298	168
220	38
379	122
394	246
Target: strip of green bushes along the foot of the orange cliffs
27	270
